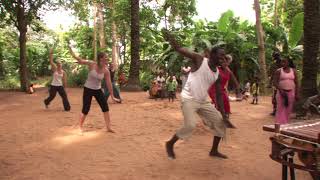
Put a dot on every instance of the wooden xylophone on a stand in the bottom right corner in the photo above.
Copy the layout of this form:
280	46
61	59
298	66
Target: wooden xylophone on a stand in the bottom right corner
301	138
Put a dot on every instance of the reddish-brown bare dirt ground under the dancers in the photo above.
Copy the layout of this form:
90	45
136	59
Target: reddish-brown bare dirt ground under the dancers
38	143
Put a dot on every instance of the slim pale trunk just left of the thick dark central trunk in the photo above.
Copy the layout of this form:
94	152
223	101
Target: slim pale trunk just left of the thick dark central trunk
114	37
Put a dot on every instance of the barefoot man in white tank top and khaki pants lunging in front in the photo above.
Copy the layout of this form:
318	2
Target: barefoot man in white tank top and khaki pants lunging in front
194	97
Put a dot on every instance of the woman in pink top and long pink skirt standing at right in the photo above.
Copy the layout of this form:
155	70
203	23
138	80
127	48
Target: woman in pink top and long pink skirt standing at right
286	82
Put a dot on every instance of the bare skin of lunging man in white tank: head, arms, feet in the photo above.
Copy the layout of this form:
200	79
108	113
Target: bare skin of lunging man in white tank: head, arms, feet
196	61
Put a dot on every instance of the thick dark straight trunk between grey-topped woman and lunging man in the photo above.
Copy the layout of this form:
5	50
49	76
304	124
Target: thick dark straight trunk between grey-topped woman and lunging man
133	81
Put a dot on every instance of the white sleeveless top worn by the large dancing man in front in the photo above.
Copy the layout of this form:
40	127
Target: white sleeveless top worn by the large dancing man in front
199	82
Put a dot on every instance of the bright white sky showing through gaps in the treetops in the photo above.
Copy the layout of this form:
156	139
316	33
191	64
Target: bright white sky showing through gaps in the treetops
207	9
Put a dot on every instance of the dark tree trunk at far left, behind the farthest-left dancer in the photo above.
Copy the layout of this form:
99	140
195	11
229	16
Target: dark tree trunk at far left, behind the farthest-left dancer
22	27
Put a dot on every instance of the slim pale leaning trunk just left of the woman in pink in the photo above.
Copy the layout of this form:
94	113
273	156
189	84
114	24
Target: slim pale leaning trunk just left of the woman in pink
260	37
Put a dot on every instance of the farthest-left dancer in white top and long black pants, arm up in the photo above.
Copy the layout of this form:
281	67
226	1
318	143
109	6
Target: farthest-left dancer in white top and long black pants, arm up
59	83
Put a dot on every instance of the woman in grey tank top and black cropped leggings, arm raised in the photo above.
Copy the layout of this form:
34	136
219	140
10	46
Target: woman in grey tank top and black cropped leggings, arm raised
92	87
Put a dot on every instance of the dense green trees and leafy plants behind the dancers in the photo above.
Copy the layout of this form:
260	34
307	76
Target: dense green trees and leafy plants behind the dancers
282	24
